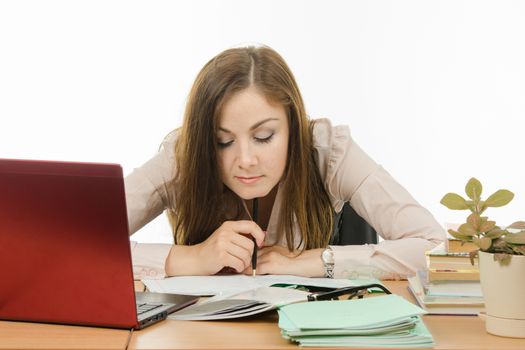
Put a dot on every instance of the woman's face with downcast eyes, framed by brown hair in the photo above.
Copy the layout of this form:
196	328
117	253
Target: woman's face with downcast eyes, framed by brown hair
252	142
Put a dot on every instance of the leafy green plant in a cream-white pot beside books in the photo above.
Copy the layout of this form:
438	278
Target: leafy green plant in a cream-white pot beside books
501	258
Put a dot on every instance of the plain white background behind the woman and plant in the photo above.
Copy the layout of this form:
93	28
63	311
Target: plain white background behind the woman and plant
434	91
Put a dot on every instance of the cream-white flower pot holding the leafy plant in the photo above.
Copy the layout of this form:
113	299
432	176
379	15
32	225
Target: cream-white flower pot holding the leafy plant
504	293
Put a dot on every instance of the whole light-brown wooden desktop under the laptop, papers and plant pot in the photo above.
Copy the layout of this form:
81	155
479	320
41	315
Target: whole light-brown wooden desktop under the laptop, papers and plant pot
257	332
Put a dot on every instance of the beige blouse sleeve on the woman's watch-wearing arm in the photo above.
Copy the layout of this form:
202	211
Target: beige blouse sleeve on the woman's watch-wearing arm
408	229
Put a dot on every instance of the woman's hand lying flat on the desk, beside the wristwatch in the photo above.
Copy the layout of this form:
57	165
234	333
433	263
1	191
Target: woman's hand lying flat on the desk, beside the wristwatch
278	260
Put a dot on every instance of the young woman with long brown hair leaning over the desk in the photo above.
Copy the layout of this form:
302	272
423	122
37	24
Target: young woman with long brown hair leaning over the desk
246	135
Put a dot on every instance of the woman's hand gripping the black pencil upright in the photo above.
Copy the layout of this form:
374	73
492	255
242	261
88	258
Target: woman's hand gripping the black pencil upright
230	245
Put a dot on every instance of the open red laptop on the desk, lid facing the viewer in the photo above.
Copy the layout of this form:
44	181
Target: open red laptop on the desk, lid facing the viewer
64	247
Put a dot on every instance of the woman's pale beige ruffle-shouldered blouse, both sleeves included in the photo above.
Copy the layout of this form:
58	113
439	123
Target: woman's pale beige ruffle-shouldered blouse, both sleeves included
407	229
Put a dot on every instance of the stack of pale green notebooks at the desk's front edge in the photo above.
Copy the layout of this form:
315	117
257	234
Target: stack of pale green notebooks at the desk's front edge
383	321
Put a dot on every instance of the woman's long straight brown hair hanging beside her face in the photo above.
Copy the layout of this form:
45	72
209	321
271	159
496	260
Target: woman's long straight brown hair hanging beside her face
203	203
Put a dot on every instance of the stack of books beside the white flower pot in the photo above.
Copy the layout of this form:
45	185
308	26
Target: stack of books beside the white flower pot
450	285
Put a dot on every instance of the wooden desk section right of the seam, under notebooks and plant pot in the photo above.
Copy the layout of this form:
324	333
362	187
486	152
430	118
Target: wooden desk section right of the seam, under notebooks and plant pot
450	332
